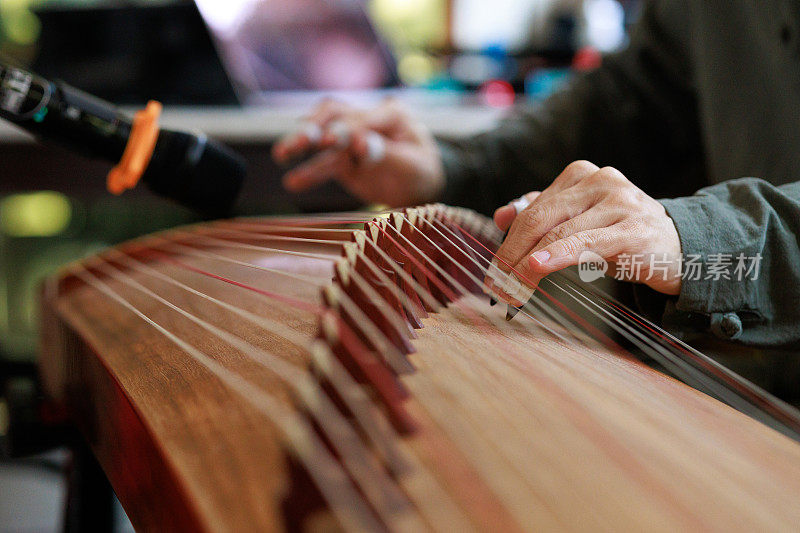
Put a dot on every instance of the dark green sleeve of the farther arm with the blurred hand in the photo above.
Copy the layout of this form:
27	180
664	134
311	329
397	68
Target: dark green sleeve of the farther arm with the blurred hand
637	112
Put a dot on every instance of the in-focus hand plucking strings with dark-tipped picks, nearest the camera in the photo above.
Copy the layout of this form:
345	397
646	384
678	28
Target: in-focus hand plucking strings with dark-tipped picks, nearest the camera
594	209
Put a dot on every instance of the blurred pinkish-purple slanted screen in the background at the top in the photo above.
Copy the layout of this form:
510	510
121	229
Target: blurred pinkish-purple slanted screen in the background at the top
275	45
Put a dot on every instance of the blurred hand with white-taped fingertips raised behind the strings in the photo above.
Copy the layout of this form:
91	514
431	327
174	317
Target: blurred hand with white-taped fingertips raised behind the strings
380	155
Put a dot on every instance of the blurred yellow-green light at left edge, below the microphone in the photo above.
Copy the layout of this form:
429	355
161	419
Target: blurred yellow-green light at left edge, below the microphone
37	214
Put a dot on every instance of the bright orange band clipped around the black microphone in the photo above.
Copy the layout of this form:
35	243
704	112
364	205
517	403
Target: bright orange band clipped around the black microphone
138	150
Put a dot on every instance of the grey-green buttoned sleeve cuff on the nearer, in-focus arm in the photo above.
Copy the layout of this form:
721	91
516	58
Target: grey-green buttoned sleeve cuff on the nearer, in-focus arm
739	224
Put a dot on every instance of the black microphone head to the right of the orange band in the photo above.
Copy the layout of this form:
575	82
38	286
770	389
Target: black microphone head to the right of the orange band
196	172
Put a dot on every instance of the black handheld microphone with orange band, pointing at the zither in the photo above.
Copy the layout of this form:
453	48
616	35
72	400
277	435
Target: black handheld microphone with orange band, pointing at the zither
190	169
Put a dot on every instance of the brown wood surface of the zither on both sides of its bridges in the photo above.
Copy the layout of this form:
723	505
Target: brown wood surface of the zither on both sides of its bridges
515	429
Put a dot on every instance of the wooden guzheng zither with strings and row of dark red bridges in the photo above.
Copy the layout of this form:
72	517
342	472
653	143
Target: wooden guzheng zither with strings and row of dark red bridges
347	372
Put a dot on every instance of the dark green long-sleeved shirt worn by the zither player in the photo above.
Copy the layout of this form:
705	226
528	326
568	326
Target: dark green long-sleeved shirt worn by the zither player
702	108
